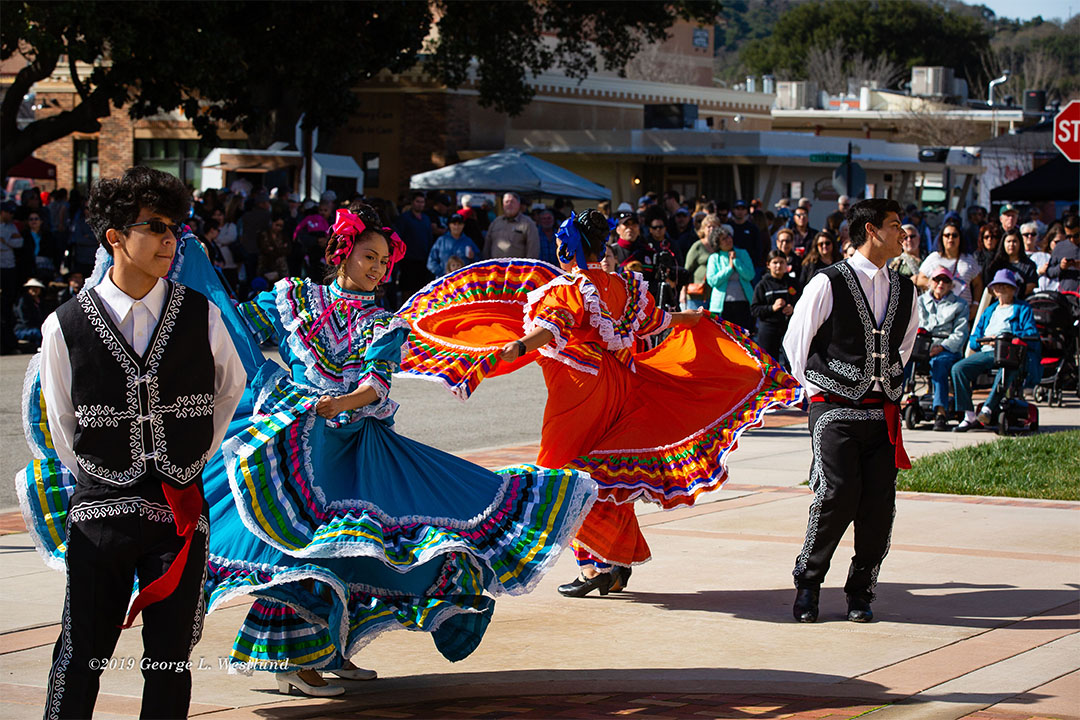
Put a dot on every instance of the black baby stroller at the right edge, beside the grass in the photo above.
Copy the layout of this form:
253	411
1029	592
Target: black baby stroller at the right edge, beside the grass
1057	318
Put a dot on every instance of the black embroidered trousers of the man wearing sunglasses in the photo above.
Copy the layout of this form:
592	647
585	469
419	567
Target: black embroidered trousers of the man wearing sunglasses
111	541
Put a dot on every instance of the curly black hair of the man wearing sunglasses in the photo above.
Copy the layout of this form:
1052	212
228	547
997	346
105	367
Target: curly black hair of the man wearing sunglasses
116	202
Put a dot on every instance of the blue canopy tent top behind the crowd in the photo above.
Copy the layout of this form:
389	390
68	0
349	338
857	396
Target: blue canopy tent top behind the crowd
510	170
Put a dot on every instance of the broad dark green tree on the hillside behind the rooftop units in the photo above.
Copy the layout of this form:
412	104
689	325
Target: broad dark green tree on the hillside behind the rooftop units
904	32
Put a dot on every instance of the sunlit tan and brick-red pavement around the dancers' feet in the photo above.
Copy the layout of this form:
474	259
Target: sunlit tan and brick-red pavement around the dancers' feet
978	612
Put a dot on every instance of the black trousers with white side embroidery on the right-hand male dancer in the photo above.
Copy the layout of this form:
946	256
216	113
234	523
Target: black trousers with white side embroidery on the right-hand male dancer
854	479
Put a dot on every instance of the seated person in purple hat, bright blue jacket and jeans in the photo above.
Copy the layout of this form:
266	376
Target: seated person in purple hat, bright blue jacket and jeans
1006	315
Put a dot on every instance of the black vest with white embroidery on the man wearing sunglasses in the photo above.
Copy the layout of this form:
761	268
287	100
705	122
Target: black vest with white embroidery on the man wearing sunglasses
147	418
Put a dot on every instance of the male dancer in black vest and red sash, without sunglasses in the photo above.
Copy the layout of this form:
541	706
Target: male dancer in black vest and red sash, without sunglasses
848	342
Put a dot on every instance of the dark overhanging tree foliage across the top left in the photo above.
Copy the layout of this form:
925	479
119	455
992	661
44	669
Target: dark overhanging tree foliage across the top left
260	66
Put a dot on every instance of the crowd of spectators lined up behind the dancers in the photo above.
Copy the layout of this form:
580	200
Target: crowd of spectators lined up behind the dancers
741	261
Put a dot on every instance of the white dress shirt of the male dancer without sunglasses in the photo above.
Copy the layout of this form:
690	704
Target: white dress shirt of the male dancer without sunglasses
816	306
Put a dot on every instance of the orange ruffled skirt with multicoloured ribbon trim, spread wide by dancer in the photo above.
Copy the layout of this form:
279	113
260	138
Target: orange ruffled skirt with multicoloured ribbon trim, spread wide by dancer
660	432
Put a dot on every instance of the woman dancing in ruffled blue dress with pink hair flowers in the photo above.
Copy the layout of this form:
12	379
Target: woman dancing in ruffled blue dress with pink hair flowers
340	527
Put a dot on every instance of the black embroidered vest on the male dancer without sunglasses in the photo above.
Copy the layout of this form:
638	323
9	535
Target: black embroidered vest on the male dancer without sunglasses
850	352
